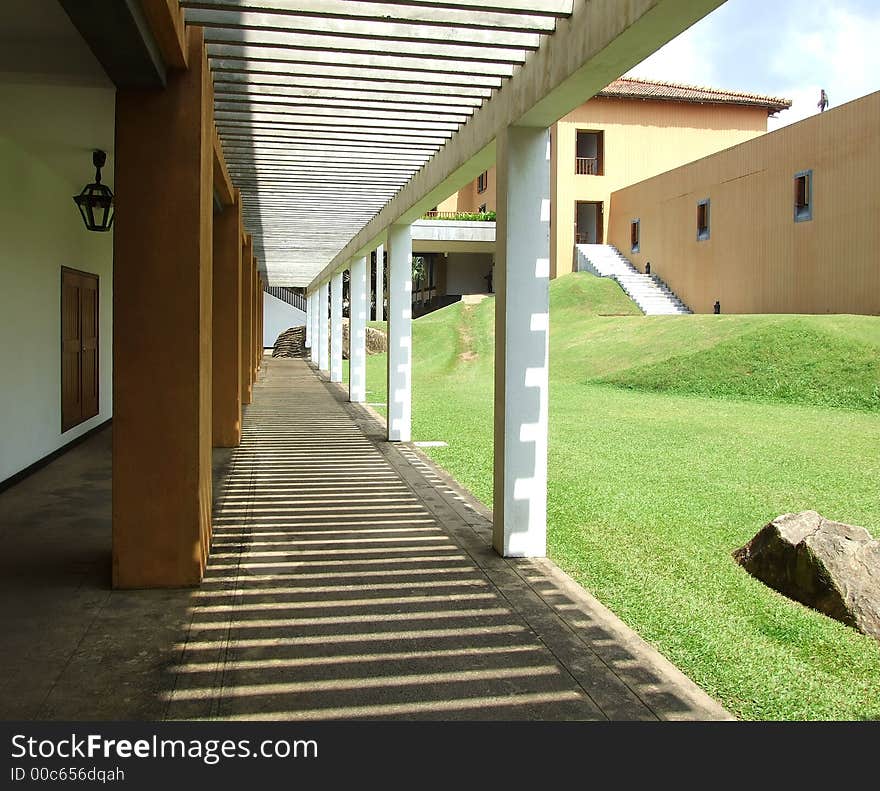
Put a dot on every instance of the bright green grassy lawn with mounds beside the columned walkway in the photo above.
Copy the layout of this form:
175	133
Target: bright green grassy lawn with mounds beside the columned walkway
672	441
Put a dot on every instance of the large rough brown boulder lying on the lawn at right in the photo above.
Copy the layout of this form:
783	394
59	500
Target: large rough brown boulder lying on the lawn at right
830	566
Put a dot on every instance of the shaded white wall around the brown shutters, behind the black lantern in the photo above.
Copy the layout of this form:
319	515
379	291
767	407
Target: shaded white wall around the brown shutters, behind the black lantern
41	231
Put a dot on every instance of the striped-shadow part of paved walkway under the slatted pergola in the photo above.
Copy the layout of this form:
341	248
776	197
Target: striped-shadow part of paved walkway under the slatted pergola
349	580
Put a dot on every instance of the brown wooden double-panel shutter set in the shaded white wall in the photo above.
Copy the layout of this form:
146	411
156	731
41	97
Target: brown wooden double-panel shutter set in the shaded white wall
79	347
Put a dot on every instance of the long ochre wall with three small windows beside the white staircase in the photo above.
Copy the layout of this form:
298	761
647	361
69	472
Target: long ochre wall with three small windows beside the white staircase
758	259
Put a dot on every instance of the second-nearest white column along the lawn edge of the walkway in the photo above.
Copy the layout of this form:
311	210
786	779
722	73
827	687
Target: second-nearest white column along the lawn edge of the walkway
399	333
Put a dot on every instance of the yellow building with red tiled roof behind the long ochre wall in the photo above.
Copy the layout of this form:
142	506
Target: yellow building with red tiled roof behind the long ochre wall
628	132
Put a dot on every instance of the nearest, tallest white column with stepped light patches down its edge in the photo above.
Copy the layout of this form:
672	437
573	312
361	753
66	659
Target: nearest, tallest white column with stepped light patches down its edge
522	310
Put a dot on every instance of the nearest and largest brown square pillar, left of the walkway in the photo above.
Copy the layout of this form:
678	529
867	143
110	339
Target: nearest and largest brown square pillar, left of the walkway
162	300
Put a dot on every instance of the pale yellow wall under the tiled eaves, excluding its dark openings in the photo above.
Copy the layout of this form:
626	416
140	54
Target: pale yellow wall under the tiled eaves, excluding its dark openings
641	139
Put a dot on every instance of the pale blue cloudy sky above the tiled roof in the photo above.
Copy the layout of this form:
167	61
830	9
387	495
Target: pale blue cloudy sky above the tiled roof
787	48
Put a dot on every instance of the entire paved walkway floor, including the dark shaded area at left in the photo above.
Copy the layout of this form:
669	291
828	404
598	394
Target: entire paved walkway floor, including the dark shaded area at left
349	579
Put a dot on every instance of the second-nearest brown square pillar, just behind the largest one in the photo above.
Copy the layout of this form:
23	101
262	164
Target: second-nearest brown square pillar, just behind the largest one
226	312
